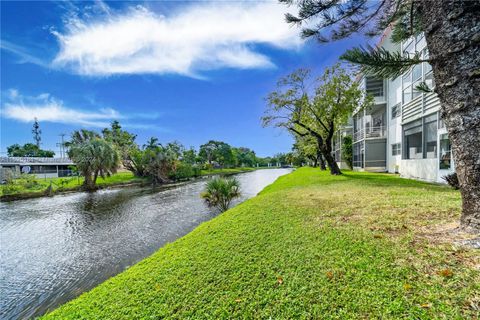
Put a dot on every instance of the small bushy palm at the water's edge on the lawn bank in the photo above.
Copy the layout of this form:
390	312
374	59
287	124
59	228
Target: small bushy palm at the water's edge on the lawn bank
220	192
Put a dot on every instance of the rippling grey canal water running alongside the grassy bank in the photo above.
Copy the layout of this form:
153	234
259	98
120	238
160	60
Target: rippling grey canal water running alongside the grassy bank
53	249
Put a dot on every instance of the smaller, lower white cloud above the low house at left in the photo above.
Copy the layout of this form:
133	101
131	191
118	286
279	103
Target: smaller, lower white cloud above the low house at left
46	108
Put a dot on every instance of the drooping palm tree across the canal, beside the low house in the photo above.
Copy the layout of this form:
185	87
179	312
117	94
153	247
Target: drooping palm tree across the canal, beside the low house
93	157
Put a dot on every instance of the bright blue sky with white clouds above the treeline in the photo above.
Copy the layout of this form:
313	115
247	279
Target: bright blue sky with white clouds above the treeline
186	71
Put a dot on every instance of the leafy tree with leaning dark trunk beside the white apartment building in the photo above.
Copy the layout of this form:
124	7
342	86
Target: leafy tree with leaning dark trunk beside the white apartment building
318	112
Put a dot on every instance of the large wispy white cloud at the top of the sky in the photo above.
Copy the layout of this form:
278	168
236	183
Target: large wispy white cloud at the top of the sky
197	37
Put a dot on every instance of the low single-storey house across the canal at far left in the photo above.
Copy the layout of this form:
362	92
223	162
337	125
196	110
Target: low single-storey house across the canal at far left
40	167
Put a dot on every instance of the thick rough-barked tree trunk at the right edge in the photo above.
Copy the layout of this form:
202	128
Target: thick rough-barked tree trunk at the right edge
452	32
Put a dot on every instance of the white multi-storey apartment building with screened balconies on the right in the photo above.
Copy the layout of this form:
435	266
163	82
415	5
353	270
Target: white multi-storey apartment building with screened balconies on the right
402	132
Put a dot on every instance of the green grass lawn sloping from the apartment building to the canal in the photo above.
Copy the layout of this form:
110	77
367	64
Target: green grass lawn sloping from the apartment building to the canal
311	245
